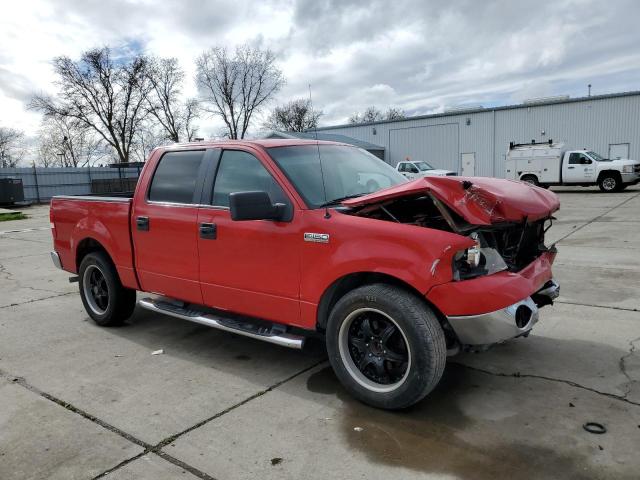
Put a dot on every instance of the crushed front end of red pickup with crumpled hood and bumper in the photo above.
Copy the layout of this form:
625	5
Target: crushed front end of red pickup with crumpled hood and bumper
499	282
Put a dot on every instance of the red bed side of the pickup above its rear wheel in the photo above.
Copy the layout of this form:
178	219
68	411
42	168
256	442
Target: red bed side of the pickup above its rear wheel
103	219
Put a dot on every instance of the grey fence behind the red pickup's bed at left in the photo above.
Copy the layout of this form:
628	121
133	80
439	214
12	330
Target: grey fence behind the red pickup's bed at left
42	183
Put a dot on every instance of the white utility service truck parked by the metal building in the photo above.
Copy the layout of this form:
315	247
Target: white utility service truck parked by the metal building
546	164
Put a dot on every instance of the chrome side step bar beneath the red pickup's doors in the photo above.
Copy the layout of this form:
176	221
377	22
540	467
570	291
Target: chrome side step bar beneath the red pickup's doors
265	331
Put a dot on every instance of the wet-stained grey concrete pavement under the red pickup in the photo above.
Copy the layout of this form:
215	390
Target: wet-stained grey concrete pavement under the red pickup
80	401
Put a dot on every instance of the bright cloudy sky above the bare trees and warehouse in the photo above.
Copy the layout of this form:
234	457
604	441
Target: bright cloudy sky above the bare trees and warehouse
422	56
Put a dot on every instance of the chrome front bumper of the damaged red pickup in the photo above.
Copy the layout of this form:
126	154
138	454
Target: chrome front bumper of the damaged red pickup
501	325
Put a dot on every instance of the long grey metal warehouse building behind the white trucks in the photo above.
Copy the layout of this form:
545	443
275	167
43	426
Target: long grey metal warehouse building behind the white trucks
475	141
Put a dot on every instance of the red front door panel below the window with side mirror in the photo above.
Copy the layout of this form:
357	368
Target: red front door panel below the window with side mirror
251	267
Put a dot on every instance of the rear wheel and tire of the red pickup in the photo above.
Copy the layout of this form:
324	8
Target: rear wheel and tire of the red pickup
104	298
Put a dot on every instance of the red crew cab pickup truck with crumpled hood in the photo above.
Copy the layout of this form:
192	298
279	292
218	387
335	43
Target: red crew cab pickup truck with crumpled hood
277	239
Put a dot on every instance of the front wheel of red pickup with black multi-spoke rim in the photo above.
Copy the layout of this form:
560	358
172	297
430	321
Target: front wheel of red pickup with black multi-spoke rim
386	346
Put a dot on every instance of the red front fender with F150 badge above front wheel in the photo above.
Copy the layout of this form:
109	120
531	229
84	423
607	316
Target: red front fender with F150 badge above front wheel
417	256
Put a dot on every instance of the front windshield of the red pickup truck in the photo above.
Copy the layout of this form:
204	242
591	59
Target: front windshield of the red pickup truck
348	171
